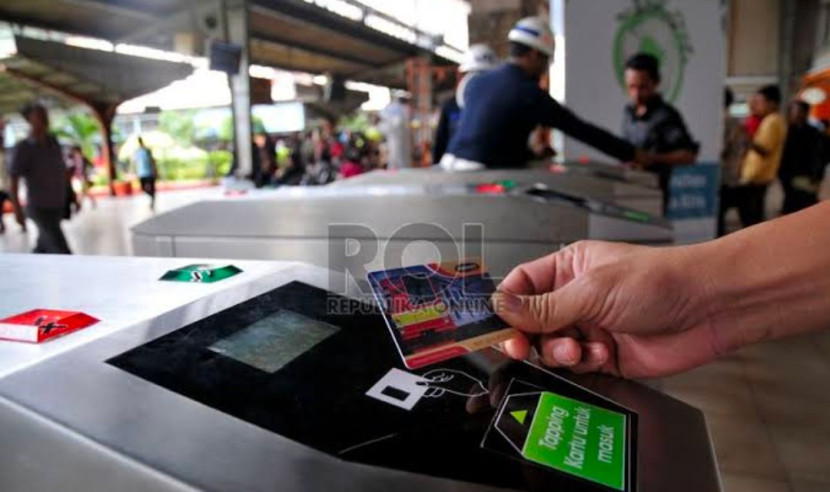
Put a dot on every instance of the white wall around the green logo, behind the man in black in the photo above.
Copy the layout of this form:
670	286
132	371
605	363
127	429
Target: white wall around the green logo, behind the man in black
590	83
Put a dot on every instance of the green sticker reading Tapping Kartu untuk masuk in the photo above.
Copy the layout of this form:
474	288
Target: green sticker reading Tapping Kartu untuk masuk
579	439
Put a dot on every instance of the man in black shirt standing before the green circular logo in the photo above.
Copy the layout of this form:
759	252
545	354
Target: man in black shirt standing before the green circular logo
652	124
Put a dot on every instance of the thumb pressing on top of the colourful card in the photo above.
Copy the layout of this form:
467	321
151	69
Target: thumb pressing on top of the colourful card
544	313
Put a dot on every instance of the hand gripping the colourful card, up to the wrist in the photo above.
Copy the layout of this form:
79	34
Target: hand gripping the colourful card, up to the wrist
630	311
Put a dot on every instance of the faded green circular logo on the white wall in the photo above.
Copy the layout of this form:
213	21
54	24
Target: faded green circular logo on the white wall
649	27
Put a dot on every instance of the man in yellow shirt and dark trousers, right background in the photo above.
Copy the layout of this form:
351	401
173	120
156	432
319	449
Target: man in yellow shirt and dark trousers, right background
763	158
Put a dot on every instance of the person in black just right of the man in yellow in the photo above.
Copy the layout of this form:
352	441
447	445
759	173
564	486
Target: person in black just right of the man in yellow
802	163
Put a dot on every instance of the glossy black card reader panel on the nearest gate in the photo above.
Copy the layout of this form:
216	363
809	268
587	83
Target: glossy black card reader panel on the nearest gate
343	391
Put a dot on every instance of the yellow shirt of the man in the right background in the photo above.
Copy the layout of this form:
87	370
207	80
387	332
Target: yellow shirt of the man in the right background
762	169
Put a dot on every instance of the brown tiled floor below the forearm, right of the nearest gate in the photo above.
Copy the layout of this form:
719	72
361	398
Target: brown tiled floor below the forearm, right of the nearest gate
766	408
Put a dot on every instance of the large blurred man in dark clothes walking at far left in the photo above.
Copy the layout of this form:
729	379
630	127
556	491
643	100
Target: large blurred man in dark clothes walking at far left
38	161
